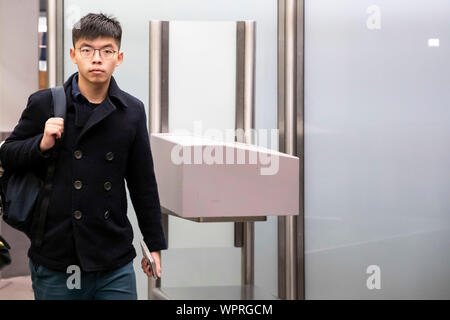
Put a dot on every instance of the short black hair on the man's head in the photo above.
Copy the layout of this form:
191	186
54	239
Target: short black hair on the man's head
95	25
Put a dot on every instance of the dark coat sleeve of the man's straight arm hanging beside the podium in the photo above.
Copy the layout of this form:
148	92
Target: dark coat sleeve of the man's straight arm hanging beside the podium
141	182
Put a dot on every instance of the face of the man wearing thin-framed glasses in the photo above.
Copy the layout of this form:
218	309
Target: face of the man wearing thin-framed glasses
98	67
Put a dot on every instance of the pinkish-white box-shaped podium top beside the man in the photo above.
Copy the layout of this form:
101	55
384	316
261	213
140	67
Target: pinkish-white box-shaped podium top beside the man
201	178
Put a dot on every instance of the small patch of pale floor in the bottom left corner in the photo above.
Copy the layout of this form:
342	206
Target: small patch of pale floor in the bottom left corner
18	288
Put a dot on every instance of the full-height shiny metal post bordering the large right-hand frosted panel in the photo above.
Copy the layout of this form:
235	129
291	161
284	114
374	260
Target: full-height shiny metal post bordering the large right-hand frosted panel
290	108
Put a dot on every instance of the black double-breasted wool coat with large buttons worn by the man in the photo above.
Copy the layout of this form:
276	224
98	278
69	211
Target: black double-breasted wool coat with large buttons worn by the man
87	222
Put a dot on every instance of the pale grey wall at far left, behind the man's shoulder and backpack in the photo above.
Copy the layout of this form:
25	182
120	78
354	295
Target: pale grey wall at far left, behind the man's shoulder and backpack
18	79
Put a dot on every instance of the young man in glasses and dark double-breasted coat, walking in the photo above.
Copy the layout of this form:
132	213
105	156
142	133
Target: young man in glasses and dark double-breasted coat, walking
103	143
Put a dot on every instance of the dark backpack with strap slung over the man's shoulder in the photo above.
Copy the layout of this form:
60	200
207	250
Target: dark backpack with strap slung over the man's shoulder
19	191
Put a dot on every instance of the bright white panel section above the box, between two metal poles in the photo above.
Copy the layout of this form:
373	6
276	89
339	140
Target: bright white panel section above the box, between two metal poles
202	75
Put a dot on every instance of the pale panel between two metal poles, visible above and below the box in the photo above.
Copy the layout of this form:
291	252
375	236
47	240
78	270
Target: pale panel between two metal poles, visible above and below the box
202	86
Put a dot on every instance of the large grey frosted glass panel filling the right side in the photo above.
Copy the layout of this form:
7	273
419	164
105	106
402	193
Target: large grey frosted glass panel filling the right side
377	174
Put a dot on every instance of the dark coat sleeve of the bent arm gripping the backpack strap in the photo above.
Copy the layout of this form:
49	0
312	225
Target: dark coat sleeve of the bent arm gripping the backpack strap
21	151
